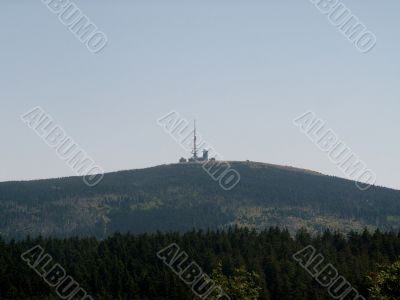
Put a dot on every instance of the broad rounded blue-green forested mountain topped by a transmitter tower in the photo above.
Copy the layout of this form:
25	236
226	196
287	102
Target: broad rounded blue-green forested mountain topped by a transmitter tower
183	196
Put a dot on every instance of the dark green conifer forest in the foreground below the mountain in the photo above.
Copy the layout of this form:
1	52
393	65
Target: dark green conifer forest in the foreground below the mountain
126	266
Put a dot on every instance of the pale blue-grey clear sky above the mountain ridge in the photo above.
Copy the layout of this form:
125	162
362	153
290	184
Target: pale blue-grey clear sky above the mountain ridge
243	69
